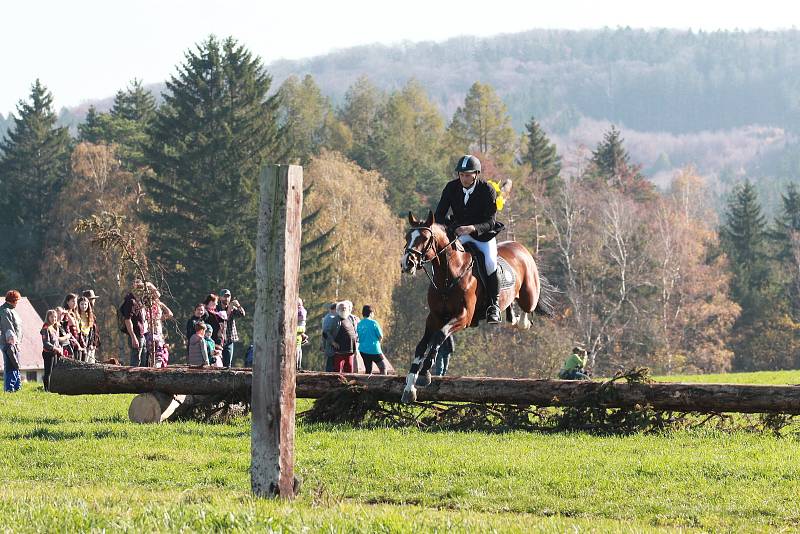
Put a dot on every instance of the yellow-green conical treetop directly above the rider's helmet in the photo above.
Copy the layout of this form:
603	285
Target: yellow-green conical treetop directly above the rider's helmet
482	124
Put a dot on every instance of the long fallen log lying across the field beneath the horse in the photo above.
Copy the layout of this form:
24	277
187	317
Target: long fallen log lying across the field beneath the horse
75	378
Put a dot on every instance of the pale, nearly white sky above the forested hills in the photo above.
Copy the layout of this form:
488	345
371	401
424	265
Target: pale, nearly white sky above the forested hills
88	49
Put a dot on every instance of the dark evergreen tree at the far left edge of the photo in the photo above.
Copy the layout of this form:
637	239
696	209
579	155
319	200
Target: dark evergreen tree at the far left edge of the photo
34	160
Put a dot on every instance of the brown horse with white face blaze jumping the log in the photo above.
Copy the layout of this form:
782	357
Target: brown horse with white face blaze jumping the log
456	299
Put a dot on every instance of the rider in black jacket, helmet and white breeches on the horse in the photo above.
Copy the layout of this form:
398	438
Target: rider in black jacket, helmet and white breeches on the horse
473	202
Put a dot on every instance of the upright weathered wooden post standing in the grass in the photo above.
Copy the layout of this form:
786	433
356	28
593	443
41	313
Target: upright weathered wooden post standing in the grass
275	323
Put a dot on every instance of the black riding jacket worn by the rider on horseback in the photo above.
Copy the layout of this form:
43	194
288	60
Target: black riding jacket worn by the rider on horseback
479	211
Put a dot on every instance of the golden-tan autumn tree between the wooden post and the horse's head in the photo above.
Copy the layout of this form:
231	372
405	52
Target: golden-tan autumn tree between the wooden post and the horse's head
364	237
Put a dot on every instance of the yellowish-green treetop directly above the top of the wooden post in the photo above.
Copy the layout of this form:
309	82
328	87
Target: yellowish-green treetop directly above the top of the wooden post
310	122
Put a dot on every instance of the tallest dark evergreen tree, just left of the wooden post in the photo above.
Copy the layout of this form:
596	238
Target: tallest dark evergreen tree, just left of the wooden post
210	138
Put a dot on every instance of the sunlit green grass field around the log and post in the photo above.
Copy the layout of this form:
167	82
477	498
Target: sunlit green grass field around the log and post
77	464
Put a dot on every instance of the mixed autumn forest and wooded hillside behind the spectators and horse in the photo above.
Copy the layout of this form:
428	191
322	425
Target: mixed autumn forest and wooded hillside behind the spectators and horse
648	275
